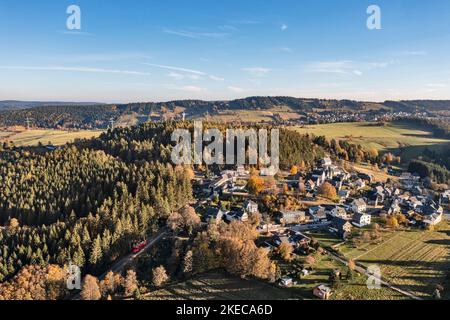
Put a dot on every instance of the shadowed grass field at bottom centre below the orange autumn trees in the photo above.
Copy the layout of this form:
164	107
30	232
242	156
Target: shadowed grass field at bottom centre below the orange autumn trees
221	286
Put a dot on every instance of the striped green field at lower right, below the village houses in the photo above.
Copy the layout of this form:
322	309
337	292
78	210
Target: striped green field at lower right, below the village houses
412	260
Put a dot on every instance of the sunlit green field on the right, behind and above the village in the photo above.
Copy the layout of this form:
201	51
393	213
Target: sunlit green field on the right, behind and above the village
400	139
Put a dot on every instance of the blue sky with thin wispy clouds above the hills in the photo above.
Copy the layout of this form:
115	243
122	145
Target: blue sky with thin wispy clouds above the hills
135	50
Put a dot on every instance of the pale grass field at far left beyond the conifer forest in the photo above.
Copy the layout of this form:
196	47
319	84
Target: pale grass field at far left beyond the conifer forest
33	137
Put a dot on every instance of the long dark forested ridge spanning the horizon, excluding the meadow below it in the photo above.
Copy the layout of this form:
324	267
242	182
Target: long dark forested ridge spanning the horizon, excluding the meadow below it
99	116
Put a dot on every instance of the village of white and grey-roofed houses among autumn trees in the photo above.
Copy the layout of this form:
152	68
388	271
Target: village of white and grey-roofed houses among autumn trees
329	199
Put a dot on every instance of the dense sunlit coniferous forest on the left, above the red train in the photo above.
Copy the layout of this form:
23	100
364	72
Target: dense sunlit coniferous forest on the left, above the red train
82	204
